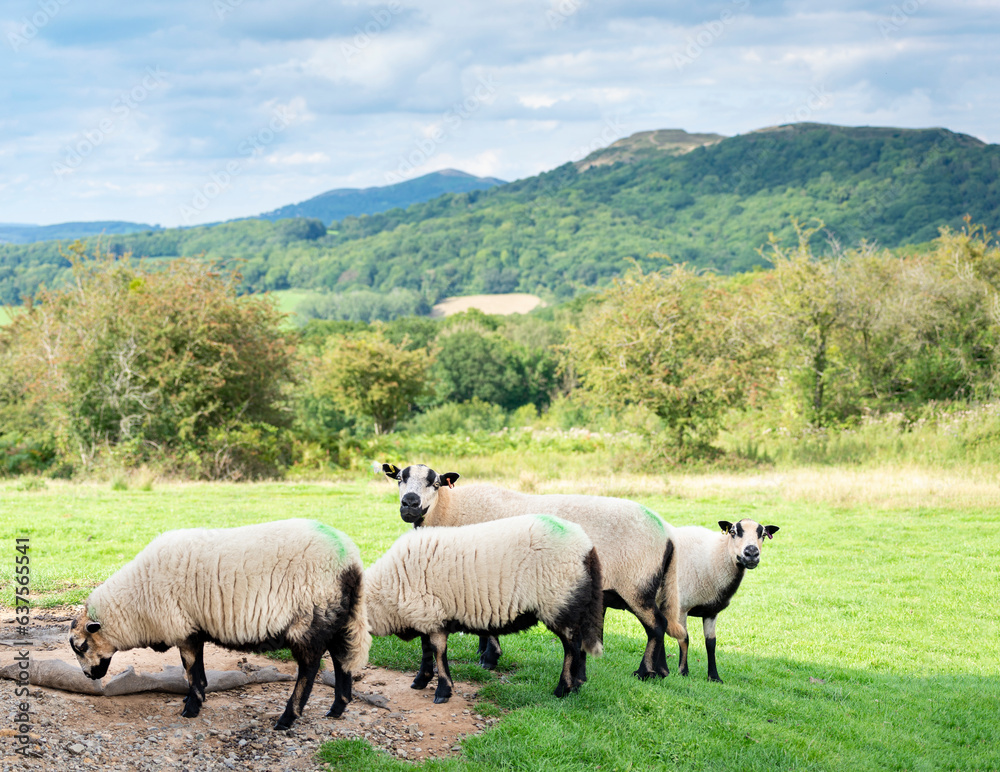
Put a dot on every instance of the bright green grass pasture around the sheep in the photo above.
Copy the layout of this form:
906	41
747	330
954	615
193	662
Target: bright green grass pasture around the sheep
868	638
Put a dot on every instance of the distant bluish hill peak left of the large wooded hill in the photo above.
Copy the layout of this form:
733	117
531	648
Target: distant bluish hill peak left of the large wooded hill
352	202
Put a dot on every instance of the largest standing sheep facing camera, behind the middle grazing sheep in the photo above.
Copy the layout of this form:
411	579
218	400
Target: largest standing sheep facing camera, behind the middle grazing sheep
634	543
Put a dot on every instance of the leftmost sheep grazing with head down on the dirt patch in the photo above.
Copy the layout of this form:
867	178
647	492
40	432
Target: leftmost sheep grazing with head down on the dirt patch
290	583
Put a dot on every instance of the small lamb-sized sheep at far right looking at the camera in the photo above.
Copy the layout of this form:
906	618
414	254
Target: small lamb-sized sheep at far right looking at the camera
710	567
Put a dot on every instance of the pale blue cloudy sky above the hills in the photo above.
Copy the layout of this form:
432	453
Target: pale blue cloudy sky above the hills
180	112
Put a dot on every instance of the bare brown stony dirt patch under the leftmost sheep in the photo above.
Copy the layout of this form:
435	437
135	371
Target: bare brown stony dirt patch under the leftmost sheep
235	728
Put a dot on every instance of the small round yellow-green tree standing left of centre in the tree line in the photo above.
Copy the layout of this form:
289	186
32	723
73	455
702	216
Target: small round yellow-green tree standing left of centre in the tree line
369	377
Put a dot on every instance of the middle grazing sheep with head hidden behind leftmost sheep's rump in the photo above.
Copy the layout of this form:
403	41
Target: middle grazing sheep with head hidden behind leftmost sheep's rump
490	578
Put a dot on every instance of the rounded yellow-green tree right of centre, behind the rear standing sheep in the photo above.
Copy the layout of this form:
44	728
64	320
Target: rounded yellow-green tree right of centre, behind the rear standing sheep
674	342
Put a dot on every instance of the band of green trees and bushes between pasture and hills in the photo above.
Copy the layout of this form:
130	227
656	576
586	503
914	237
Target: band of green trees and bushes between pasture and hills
172	368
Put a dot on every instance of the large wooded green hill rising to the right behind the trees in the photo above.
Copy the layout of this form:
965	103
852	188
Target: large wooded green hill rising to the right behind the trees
565	230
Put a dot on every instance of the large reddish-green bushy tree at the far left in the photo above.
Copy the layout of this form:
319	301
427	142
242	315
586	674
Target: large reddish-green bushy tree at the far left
164	359
